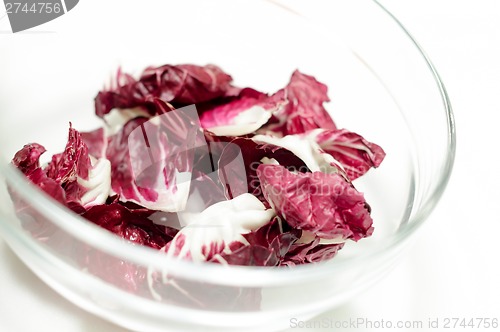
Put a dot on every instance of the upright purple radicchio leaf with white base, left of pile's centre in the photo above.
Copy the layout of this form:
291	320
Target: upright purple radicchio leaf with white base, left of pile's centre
152	159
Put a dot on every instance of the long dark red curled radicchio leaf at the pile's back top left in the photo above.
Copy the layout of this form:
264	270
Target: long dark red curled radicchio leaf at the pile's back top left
179	85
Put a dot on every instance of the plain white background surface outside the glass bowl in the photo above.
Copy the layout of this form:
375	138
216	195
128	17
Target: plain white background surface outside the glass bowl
453	270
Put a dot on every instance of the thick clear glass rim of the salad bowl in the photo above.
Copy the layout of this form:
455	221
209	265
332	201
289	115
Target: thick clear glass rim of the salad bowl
240	275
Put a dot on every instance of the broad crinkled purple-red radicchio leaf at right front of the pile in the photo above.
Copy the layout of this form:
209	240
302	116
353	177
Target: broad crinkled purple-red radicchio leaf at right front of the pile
324	204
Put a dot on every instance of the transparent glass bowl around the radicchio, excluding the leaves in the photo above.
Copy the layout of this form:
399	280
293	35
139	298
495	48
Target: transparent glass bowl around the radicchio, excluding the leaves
381	84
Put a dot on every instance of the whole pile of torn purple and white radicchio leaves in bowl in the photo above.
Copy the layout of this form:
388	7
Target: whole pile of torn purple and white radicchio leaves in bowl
189	164
